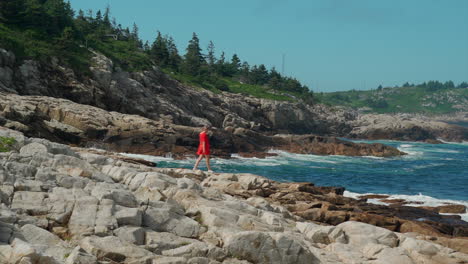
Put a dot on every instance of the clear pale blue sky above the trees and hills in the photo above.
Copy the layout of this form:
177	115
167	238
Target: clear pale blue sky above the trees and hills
329	45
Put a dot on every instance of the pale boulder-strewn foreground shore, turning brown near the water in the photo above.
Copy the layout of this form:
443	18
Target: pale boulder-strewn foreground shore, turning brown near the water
75	205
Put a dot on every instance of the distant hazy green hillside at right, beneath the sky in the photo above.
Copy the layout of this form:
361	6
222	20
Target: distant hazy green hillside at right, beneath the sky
428	98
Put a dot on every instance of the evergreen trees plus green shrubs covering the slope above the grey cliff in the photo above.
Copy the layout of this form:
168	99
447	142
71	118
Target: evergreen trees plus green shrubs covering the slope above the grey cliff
42	29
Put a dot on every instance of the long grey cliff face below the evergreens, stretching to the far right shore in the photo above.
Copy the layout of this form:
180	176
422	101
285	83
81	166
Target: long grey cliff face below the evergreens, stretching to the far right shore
155	95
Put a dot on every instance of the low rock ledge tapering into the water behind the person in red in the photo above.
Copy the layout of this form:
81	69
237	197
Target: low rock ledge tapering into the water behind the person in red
64	121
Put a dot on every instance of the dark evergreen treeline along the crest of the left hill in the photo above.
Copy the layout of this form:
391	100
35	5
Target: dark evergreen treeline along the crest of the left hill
56	22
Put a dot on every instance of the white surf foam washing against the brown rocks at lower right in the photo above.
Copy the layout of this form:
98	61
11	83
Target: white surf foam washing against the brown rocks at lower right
413	200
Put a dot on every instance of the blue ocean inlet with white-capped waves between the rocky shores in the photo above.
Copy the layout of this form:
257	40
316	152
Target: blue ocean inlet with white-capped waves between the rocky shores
430	175
